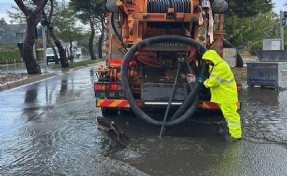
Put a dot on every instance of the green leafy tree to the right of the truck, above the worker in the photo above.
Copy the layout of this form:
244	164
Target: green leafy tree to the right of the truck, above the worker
248	21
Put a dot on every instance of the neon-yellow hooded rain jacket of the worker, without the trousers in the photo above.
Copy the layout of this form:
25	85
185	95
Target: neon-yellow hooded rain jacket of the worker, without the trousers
221	80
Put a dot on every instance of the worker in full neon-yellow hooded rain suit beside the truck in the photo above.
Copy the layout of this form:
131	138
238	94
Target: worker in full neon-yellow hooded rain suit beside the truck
223	91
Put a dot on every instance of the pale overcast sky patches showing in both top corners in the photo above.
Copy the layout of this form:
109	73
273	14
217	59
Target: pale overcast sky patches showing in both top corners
6	4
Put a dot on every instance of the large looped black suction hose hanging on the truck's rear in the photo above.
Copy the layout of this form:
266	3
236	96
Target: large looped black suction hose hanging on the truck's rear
125	83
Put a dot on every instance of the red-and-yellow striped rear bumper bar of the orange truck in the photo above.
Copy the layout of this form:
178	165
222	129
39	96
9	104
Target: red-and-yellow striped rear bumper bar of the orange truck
122	103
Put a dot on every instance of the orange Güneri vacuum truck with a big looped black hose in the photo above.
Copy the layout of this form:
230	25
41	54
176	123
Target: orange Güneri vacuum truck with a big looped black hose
152	46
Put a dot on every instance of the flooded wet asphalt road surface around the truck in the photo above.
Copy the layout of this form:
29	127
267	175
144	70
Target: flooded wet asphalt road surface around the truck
48	128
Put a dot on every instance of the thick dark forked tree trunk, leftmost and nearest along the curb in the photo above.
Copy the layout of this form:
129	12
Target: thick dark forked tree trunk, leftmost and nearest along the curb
33	16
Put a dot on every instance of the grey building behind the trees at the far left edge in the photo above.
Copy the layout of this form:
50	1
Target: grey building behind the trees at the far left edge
13	33
